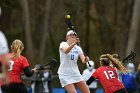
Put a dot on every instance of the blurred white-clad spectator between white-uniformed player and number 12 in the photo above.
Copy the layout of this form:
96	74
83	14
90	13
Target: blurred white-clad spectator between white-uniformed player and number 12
87	74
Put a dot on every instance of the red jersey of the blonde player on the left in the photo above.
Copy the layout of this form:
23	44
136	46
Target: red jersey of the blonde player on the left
16	66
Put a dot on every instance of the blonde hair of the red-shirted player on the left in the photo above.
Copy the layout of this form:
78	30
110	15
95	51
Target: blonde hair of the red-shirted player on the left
17	47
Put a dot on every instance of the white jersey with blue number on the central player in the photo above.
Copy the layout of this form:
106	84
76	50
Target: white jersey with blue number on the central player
68	62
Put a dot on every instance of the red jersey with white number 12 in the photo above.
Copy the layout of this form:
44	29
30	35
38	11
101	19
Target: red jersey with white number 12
108	78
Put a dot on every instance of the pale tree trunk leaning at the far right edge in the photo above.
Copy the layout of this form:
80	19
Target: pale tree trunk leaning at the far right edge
134	27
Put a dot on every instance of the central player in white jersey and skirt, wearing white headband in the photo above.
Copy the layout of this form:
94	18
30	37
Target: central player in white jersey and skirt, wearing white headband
68	71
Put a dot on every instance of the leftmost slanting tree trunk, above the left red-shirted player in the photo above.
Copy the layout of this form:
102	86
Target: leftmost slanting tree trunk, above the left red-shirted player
28	36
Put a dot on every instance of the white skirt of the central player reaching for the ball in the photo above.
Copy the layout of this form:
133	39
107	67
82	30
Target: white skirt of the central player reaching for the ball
66	79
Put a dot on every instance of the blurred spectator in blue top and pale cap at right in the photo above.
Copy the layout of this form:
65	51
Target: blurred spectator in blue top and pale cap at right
129	78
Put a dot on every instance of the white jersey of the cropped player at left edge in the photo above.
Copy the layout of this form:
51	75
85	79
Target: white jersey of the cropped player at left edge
3	44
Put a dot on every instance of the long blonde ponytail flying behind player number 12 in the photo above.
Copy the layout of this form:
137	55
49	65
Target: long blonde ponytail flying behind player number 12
117	63
